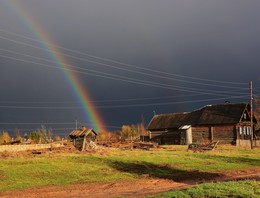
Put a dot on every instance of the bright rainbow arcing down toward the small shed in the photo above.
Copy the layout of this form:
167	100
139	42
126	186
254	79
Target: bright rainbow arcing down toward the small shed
76	86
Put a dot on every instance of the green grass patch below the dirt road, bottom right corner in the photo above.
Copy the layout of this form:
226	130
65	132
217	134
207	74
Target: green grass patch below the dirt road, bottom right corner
249	188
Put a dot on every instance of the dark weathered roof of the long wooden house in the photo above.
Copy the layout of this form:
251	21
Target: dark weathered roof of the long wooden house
228	113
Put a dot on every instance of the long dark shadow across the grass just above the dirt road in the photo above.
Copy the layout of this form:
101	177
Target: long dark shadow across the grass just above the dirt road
161	171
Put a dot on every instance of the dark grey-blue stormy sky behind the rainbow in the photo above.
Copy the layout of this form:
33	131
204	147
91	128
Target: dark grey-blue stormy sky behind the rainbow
168	56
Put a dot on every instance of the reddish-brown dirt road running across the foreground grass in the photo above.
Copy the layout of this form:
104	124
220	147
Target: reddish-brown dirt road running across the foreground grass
137	188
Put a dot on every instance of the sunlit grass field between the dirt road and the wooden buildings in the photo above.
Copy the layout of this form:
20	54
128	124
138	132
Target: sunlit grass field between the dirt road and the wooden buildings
110	165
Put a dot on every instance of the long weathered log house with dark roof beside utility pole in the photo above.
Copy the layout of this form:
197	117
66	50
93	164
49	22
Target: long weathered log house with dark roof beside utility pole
227	123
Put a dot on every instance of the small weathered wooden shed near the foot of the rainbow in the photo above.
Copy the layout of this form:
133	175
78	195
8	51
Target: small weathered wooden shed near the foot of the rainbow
83	136
